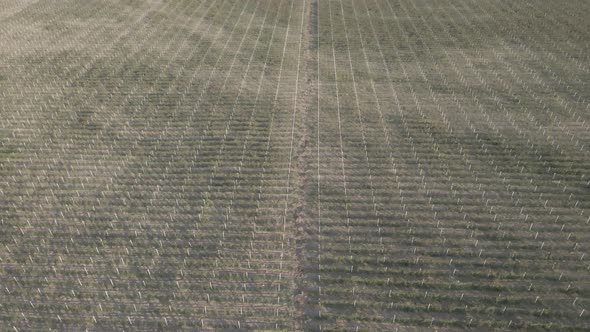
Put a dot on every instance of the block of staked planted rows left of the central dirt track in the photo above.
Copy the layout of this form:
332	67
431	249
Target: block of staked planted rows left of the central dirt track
145	164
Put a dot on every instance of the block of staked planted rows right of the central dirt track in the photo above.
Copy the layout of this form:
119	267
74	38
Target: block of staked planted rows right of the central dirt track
450	180
